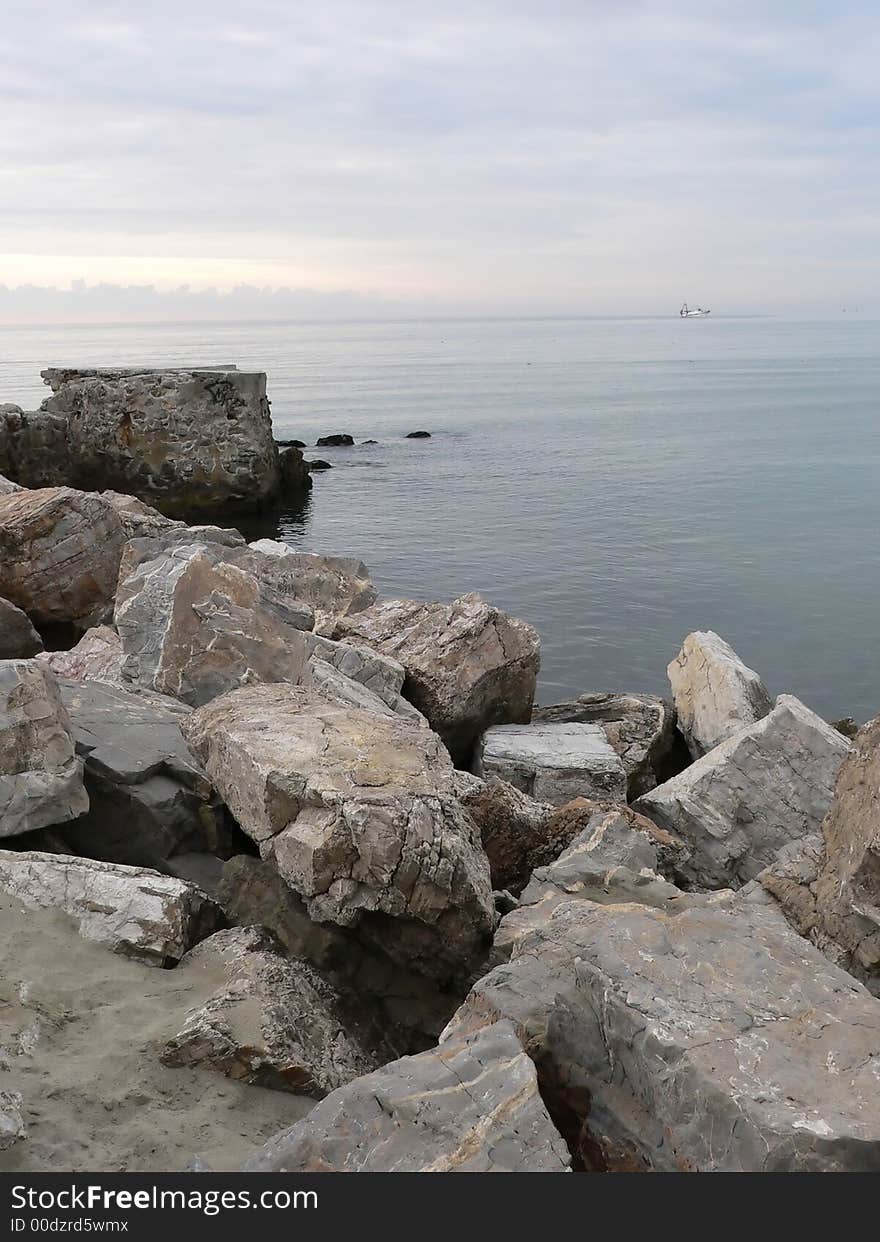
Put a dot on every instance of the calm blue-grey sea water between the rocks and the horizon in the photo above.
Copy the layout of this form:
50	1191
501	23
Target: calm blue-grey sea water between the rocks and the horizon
615	483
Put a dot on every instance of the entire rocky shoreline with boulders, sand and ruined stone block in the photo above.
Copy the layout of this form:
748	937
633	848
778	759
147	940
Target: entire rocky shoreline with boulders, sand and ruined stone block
384	912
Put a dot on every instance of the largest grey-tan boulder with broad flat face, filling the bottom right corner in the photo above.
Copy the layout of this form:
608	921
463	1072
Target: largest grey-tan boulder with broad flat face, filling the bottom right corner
713	1040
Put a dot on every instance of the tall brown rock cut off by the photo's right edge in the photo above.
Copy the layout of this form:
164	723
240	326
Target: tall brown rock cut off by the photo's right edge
848	886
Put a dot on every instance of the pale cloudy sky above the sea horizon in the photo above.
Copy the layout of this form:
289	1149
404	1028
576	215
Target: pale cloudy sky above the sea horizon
342	158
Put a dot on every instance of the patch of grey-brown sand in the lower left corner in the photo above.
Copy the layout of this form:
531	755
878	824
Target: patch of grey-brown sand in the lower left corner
80	1034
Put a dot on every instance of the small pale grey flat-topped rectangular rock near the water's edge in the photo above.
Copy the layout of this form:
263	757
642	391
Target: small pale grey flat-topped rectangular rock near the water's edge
553	763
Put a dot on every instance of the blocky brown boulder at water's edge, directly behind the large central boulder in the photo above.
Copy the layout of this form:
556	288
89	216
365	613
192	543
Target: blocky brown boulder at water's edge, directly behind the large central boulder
469	665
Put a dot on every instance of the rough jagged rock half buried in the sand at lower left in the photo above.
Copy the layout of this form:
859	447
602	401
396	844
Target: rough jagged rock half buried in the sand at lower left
272	1022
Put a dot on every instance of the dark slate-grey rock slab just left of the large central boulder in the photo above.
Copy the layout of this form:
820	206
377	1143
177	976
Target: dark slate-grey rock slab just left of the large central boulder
150	799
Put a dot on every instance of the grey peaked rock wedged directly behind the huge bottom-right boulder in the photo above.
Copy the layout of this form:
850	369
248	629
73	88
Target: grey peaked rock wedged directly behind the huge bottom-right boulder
614	856
